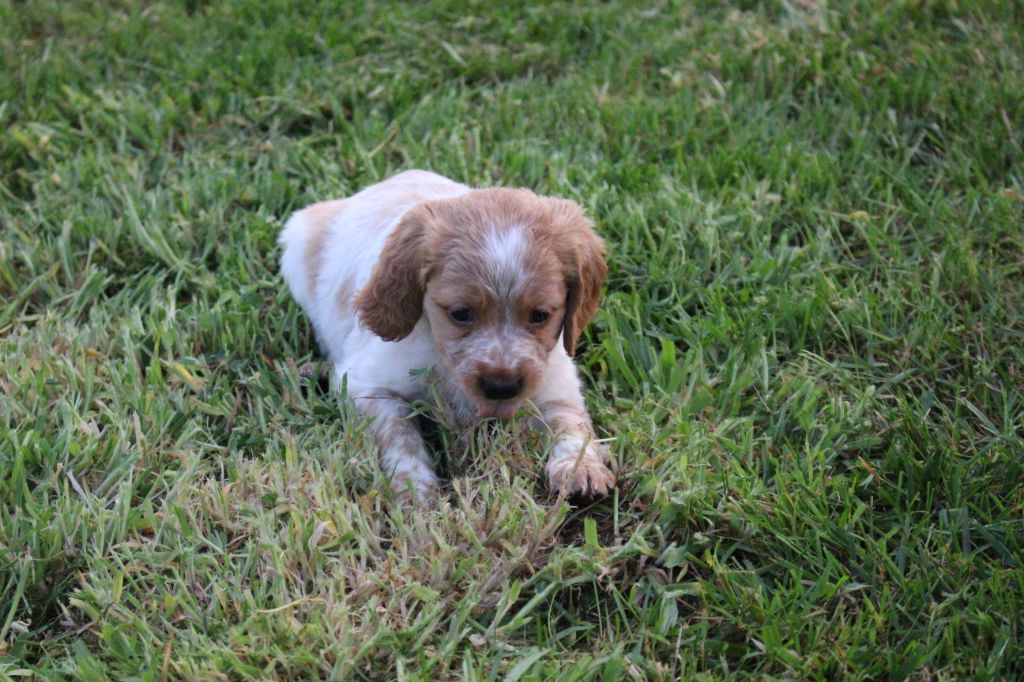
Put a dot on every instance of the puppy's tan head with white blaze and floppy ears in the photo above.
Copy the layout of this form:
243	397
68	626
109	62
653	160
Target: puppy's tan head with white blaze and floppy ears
500	275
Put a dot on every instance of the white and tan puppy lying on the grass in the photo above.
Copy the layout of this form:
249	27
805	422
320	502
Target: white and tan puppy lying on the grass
490	288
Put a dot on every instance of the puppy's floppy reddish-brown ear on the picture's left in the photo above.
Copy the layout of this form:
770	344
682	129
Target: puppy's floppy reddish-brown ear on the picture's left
392	303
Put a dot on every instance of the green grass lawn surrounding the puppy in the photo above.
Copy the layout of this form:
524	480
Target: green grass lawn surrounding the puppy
810	355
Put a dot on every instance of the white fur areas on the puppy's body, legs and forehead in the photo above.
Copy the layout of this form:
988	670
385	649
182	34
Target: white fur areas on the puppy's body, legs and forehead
380	375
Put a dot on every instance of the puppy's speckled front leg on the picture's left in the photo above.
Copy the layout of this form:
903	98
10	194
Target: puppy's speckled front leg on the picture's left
404	457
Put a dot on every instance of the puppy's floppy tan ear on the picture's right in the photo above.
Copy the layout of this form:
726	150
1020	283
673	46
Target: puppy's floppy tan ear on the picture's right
583	258
